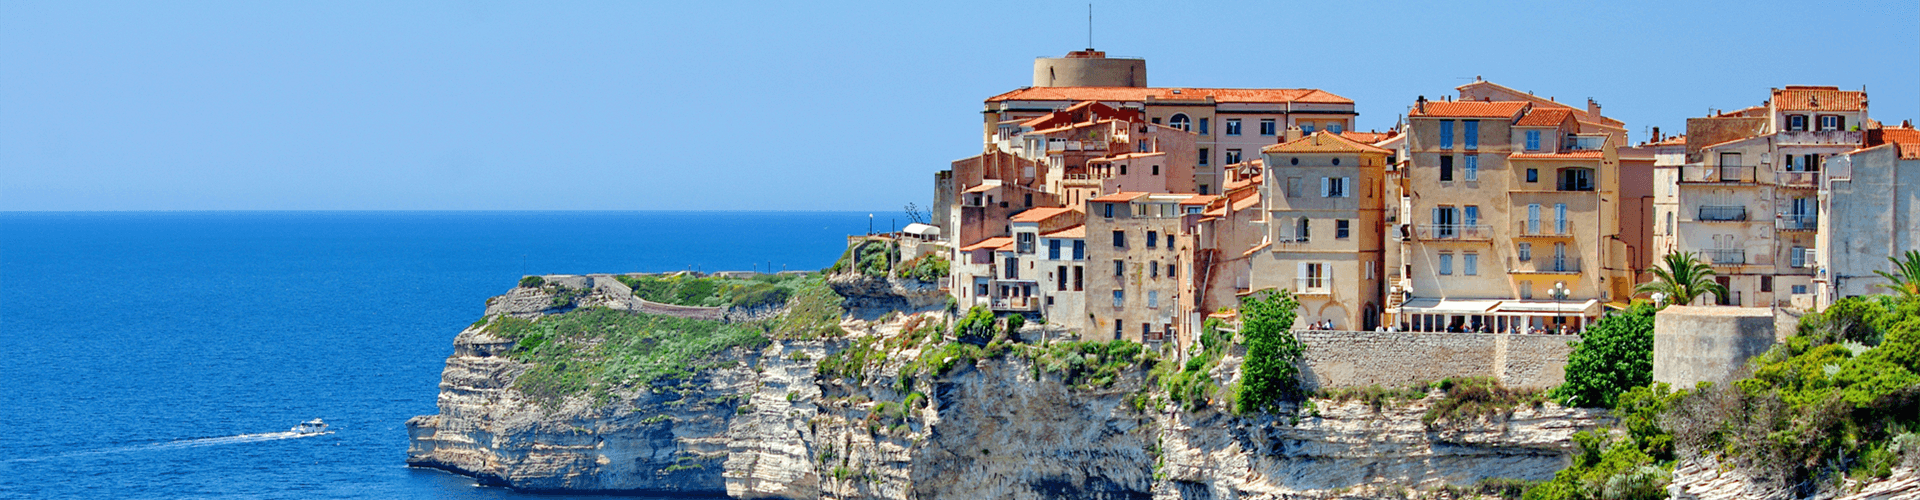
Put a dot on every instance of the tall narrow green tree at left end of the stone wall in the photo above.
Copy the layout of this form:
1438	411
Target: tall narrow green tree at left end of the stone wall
1272	368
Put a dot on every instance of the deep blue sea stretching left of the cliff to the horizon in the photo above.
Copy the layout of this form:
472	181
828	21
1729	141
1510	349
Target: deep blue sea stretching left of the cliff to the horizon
162	355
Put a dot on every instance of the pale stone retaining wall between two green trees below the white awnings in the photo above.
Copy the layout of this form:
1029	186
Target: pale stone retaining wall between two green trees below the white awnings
1360	359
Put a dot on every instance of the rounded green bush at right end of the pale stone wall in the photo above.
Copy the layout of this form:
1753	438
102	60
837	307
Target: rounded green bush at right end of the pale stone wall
1610	359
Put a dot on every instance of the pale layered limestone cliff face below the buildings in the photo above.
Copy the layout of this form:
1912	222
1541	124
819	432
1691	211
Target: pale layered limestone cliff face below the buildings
769	426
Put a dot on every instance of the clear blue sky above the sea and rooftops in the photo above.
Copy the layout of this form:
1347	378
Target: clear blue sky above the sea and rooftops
782	107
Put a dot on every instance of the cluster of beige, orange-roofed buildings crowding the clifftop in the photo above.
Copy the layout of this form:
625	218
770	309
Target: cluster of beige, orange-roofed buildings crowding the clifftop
1116	209
